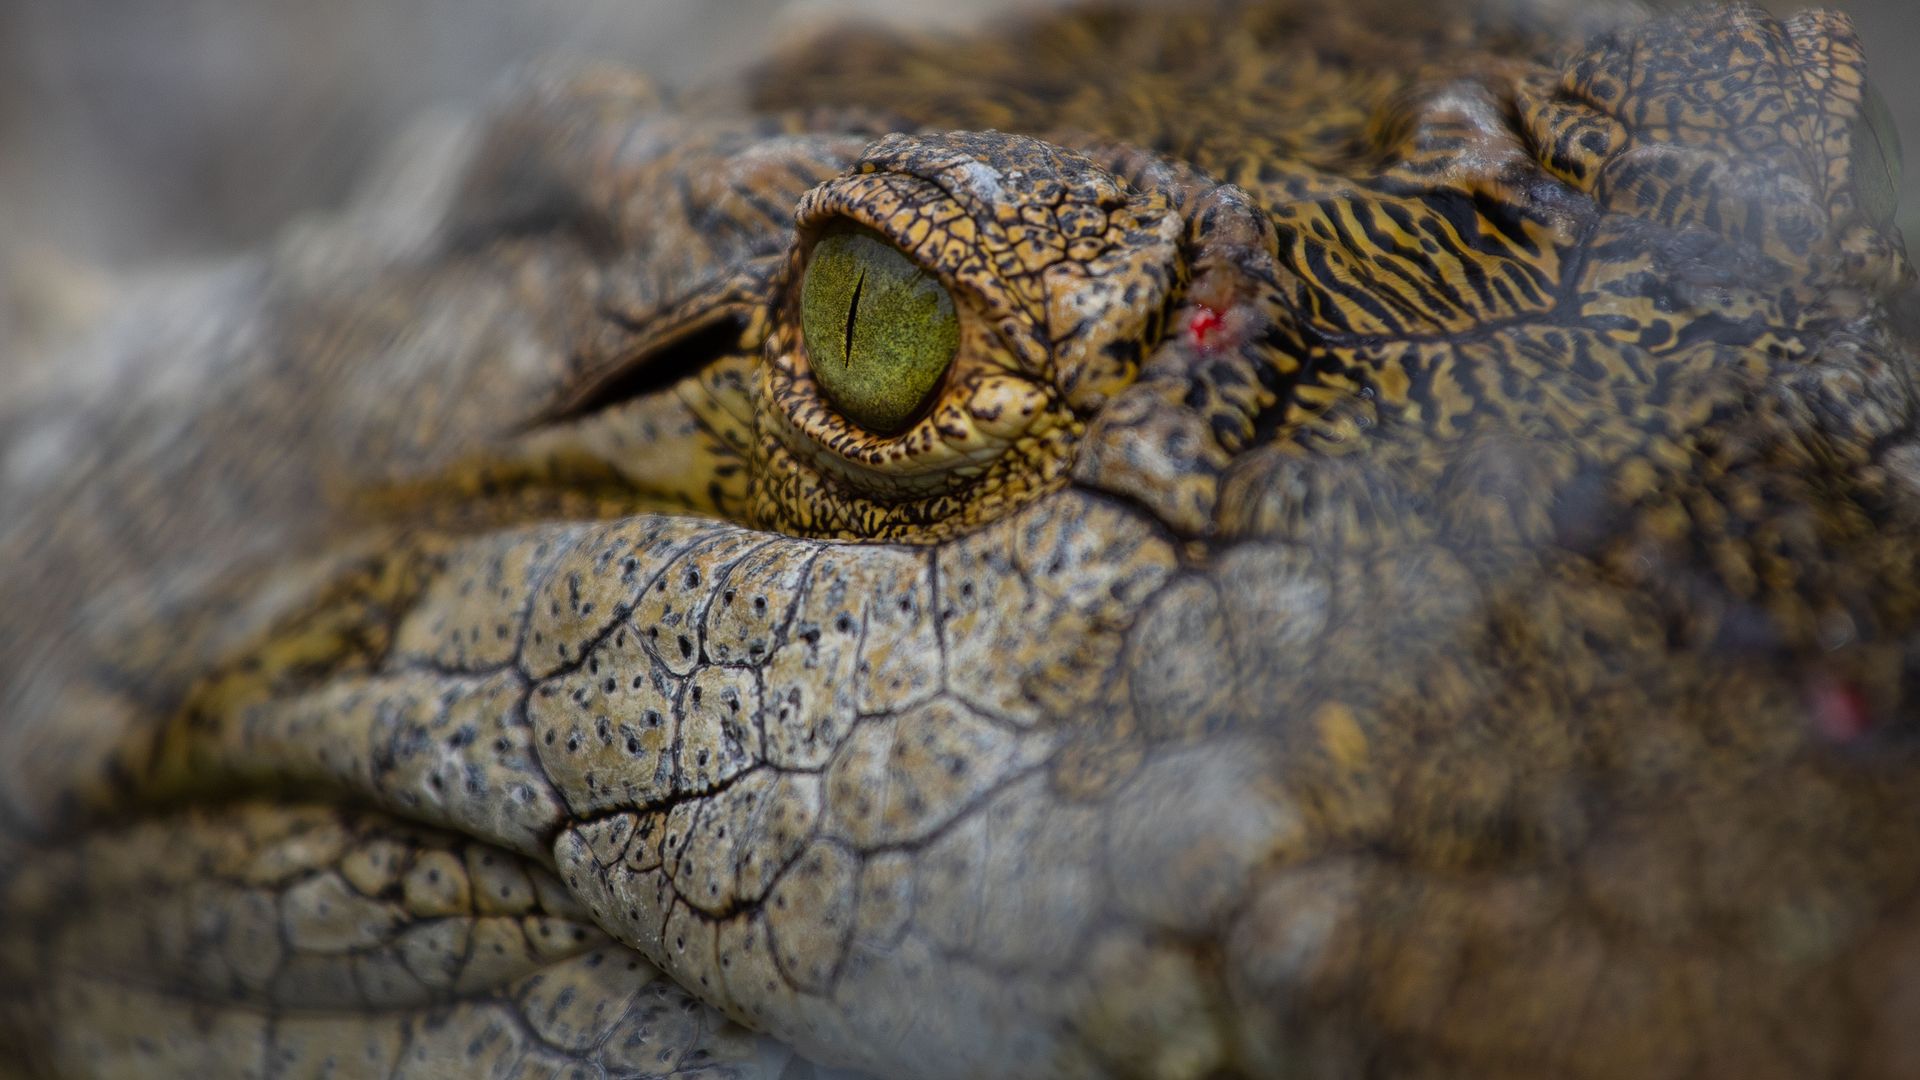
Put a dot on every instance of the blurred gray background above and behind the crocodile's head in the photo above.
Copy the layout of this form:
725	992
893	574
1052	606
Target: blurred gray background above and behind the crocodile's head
137	132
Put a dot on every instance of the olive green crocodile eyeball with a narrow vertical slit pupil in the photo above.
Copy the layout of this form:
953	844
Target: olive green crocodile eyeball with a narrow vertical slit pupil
880	331
